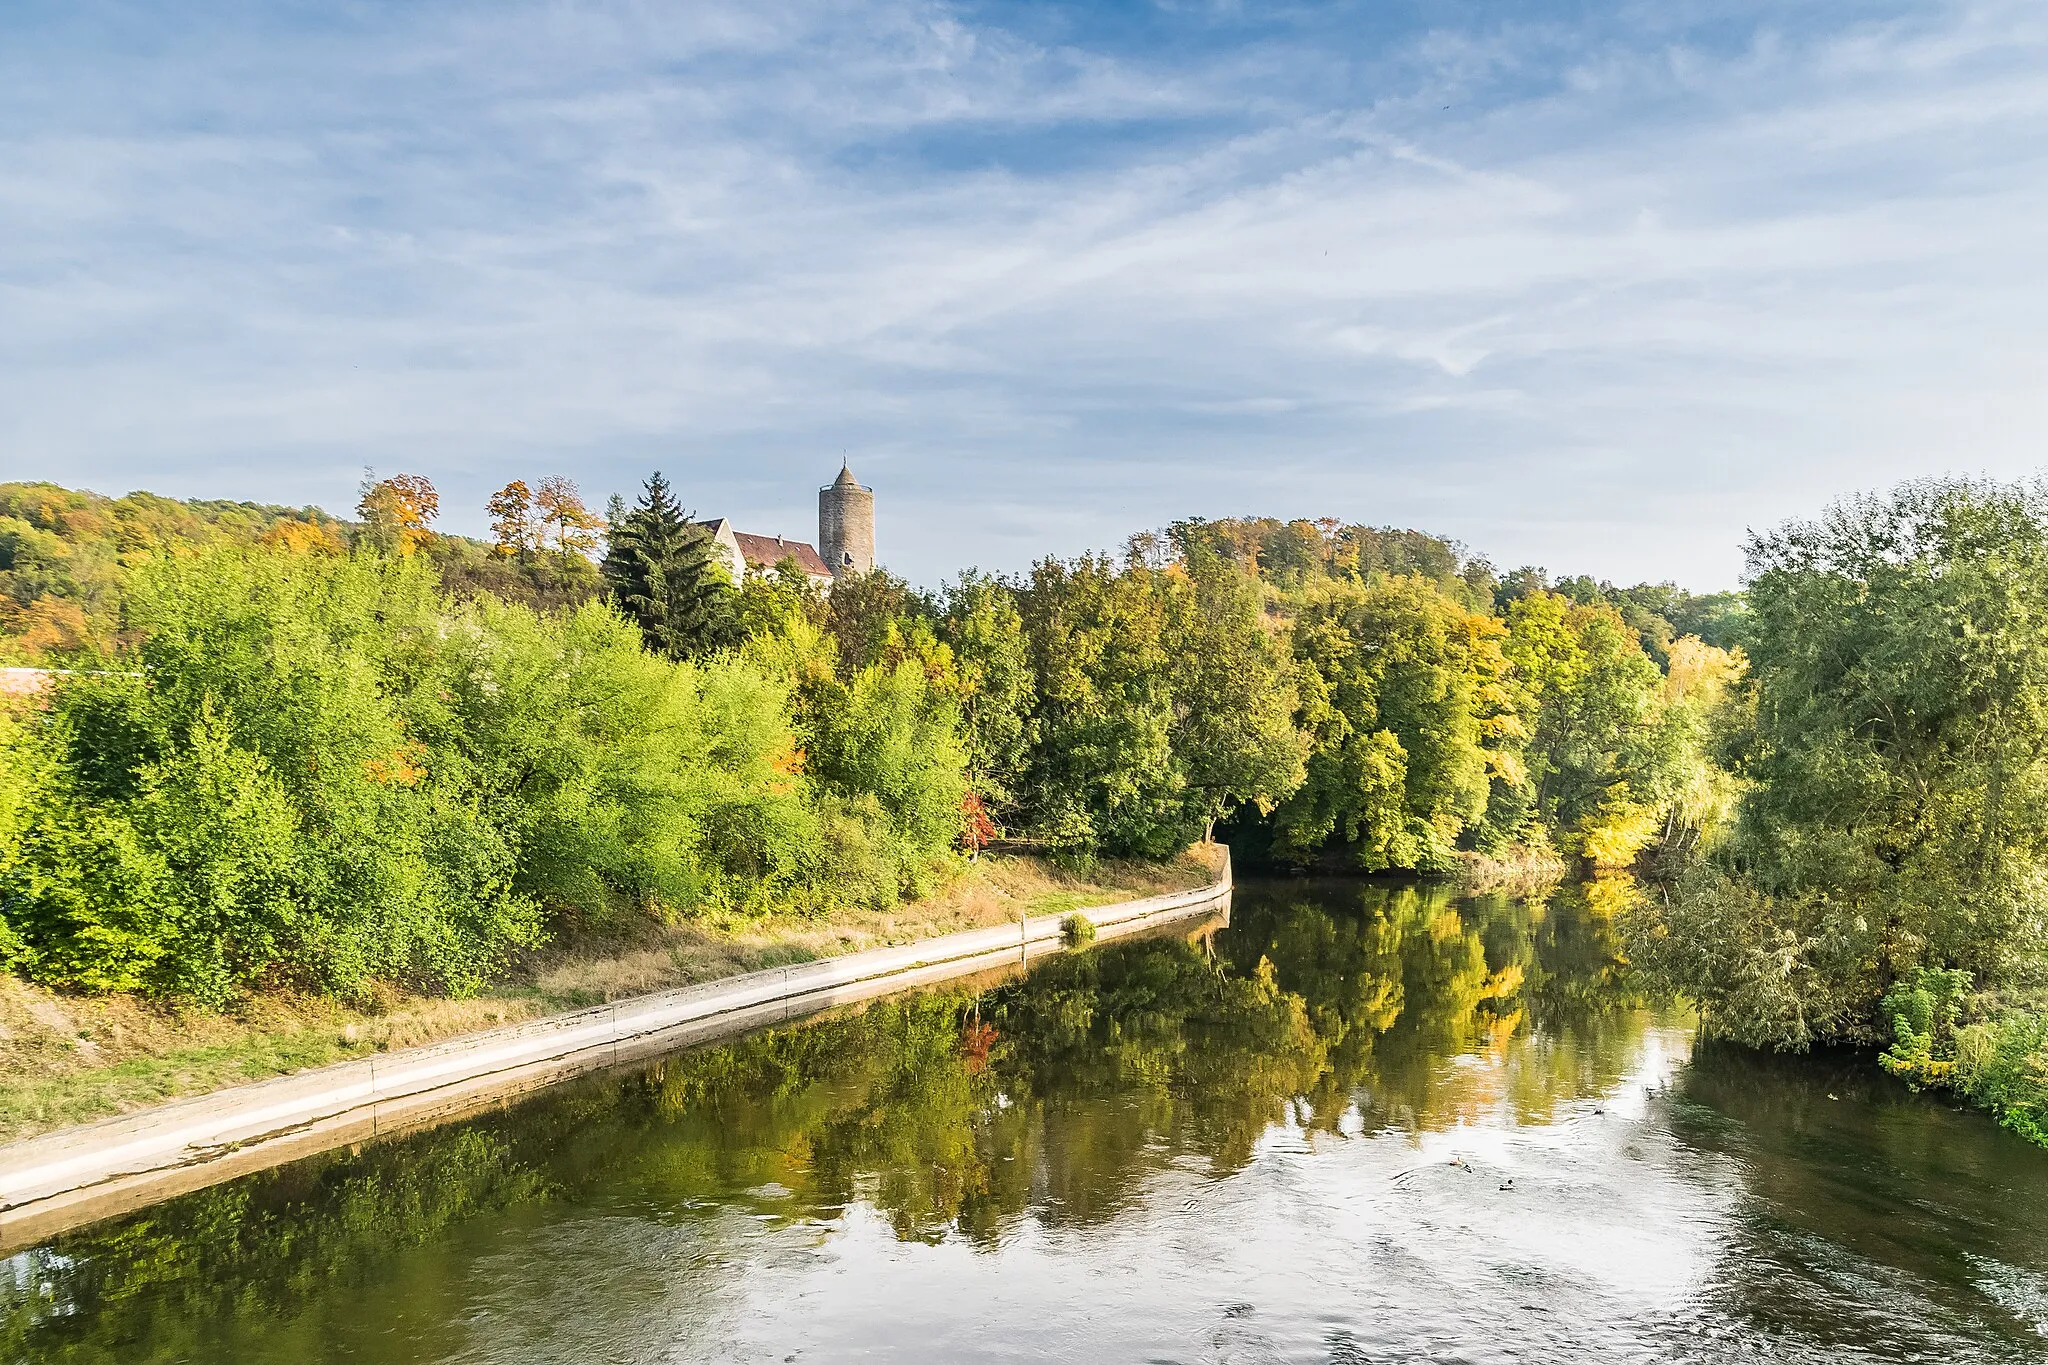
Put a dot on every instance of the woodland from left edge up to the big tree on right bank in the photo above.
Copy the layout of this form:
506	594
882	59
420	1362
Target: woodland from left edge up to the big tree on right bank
316	754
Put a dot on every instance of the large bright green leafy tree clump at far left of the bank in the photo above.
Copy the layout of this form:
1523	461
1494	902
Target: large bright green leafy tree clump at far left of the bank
251	801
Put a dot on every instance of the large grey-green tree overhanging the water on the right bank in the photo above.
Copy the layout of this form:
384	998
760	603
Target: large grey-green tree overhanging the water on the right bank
1897	777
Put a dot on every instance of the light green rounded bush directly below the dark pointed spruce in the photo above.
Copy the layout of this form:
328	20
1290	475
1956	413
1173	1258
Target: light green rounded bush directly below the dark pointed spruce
620	775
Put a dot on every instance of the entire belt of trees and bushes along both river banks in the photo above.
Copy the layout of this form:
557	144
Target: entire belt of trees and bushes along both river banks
294	750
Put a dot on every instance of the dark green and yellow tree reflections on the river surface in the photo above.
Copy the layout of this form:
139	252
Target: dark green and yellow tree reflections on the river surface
1326	1008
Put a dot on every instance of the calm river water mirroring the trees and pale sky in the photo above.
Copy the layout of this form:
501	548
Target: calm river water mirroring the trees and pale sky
1359	1125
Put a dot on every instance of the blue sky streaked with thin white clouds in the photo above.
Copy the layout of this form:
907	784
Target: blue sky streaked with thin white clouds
1584	285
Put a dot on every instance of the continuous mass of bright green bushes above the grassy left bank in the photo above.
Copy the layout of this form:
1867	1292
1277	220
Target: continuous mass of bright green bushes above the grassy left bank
321	770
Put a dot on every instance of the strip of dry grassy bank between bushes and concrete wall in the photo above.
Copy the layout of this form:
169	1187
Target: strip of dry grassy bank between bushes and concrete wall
71	1059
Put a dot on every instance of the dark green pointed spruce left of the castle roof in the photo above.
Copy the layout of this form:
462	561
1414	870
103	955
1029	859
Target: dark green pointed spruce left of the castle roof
663	574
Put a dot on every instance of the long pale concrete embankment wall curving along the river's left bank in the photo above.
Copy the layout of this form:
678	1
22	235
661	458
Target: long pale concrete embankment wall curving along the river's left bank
101	1170
